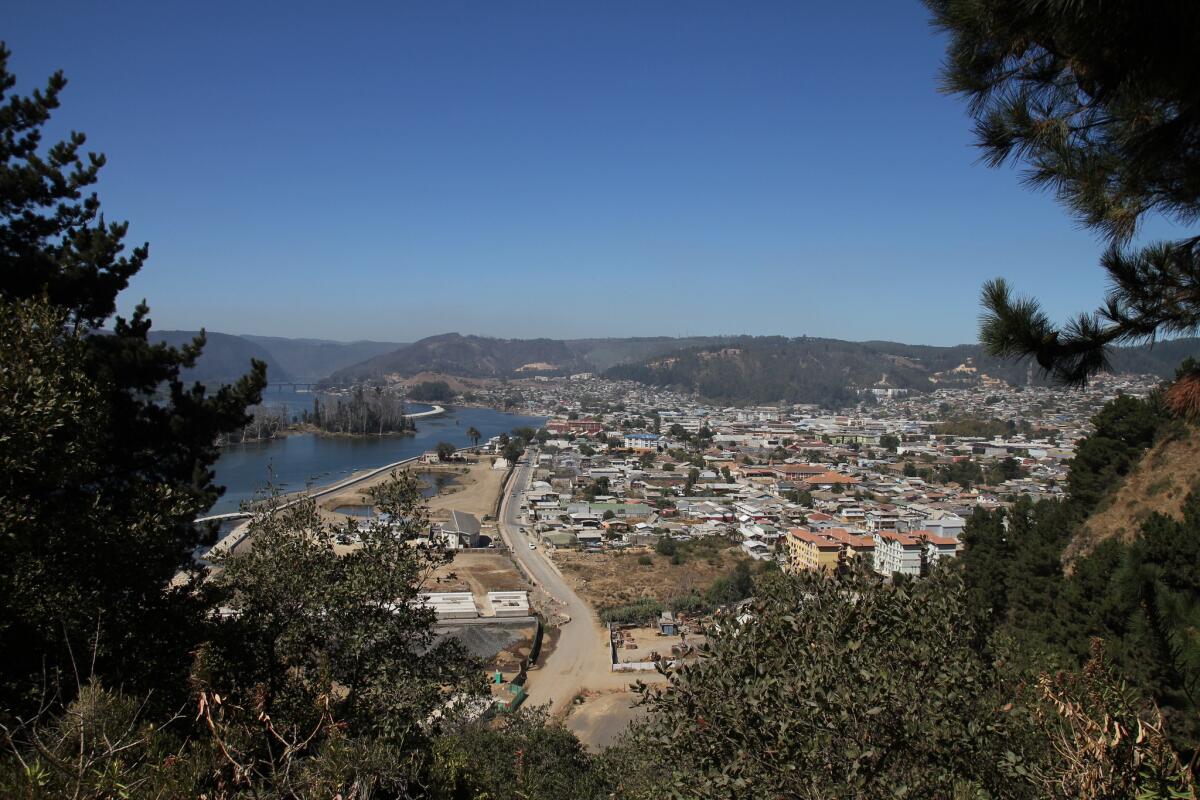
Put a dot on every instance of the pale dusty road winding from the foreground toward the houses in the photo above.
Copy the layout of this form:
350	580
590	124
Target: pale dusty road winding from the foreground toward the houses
580	659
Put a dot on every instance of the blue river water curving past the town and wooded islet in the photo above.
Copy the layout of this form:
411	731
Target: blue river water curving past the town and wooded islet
299	461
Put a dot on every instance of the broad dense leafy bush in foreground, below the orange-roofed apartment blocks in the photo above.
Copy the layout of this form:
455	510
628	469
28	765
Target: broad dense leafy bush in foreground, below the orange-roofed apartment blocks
838	687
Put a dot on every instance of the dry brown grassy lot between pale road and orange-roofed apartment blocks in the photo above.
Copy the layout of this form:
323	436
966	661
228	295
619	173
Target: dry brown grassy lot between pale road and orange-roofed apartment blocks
614	580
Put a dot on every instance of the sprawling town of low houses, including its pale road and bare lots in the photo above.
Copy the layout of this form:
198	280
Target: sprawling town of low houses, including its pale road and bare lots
635	515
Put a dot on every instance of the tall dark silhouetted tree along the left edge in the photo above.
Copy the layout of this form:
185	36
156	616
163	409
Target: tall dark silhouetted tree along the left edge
117	448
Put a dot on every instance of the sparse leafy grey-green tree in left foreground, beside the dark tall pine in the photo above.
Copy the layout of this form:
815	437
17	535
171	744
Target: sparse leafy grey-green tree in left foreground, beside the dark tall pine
326	670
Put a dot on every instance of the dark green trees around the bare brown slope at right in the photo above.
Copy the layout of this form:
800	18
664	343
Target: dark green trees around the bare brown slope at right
1143	598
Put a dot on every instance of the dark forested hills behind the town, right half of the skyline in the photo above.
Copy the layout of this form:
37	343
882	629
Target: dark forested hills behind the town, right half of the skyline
829	371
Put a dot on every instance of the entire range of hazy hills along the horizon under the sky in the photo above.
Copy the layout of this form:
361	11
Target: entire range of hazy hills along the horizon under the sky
734	369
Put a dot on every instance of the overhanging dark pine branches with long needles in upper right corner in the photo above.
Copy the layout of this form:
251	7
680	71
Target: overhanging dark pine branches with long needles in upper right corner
1102	105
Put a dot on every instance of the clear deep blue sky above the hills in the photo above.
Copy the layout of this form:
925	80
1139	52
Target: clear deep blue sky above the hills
395	171
